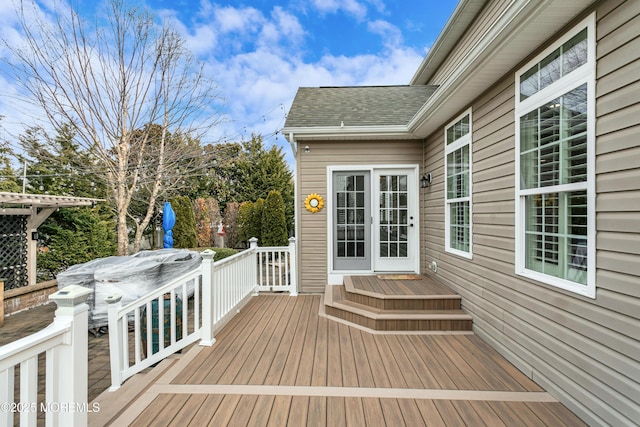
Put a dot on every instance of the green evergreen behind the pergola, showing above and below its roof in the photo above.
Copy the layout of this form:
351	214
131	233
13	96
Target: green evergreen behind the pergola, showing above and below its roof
71	235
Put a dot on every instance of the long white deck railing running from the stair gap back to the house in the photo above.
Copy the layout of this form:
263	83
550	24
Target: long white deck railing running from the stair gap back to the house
193	307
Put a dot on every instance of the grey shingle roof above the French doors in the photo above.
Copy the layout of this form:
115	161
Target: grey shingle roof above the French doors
356	105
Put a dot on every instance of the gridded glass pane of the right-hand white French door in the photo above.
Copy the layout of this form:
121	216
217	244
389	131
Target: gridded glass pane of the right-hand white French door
393	211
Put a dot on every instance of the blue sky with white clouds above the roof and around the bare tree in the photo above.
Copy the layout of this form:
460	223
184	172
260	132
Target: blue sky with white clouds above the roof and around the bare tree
259	52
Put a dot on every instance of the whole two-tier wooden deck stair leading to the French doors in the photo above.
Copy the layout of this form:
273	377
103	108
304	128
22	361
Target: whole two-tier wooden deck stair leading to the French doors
397	303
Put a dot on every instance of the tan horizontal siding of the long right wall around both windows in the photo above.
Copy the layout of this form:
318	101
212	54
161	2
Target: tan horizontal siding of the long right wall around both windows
584	351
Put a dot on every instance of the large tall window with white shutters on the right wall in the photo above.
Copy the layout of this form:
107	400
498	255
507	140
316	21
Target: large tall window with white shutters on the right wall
555	196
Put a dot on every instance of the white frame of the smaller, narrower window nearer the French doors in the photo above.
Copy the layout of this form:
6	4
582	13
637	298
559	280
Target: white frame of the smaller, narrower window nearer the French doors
465	140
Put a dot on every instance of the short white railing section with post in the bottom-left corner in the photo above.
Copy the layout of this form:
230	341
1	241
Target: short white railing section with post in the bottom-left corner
65	345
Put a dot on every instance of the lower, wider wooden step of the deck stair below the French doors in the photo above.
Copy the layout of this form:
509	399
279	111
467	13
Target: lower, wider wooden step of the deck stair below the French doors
339	304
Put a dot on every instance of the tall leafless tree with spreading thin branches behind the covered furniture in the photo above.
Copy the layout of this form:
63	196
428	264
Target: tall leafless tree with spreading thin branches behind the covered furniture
131	91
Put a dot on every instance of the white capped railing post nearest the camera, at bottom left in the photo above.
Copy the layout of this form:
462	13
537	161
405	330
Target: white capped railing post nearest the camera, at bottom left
72	360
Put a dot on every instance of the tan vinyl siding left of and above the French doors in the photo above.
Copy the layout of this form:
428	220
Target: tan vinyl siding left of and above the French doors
312	168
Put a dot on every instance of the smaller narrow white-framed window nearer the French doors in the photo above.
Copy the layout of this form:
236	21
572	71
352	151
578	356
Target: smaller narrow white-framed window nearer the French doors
458	186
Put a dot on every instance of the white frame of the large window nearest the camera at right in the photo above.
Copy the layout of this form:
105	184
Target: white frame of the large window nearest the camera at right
585	74
